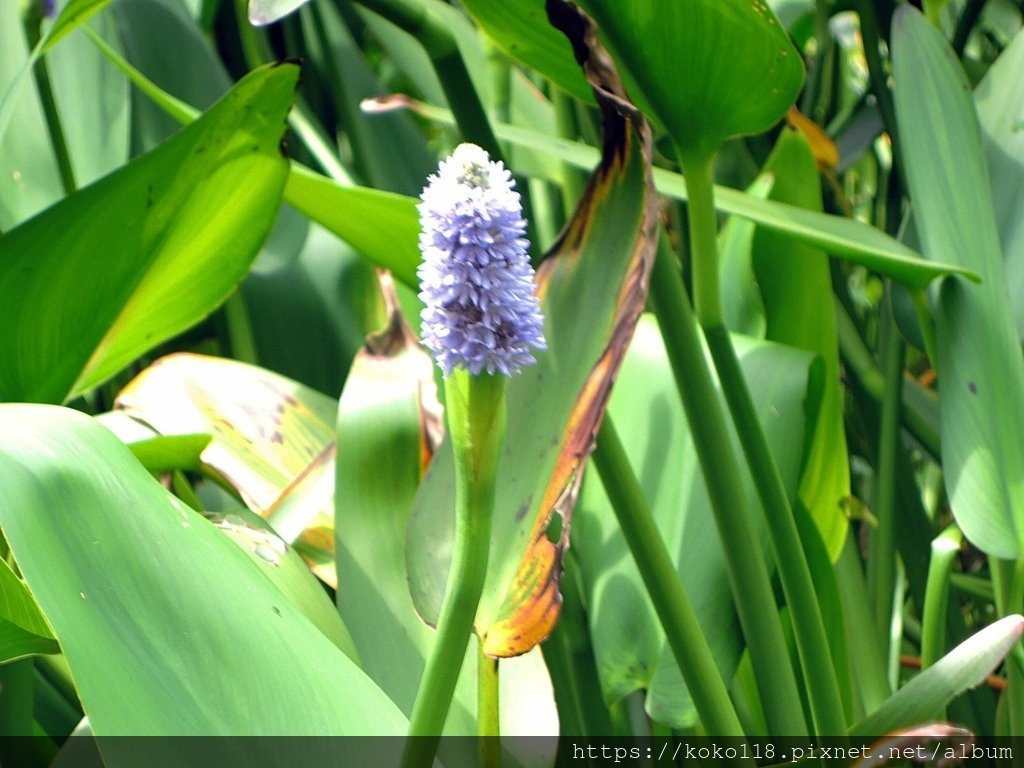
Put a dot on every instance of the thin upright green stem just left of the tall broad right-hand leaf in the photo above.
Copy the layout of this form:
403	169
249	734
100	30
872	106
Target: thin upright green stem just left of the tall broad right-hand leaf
882	559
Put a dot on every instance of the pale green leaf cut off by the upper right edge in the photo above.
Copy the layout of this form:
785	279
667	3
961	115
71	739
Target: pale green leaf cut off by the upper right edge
1000	101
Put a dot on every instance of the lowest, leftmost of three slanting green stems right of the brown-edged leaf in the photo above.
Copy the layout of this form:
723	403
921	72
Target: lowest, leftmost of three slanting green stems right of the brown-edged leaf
659	573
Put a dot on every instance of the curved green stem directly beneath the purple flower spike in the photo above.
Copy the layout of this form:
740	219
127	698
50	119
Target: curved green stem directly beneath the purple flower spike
476	413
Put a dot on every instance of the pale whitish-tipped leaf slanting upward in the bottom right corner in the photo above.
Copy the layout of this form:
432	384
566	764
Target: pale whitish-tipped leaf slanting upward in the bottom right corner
965	667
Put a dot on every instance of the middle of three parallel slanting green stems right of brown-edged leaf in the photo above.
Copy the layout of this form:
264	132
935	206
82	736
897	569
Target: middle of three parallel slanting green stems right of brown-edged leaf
745	561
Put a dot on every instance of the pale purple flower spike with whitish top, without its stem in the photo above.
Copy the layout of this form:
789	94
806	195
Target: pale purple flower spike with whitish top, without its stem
477	280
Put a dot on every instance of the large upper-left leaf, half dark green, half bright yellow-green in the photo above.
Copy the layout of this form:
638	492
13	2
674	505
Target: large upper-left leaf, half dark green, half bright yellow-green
133	261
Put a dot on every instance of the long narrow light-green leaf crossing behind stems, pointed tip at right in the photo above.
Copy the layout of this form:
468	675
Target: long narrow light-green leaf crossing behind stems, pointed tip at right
844	238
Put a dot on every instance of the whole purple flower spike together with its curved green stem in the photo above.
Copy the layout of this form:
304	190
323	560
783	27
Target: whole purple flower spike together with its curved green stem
481	321
